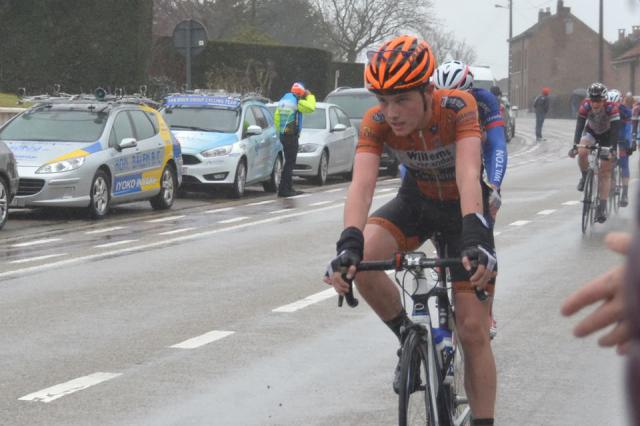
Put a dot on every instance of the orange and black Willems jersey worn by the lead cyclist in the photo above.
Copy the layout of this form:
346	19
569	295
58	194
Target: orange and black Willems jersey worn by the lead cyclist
428	153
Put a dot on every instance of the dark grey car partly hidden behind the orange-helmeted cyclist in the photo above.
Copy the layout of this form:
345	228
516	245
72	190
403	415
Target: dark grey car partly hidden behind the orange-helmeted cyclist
355	102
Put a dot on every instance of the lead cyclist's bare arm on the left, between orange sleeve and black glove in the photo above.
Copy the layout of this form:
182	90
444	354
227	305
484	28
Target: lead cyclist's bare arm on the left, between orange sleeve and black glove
360	194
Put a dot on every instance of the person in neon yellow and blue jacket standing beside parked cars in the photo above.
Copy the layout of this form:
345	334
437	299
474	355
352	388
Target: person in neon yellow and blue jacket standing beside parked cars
288	122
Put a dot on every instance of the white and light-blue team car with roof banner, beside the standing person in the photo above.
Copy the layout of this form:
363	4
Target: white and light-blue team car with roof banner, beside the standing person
227	141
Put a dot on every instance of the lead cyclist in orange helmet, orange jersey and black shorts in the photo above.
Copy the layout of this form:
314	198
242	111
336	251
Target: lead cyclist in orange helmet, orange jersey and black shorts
436	135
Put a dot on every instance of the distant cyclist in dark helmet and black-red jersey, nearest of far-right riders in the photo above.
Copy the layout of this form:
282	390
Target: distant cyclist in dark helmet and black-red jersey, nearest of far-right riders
598	122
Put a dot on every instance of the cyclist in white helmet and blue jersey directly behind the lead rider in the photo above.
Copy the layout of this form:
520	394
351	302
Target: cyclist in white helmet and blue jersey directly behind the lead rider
458	75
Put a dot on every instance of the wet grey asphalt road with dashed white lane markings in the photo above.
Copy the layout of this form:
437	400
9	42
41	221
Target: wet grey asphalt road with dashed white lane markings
98	318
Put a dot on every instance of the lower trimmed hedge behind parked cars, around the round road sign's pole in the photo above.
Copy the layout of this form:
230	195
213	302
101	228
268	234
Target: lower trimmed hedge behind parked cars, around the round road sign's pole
241	67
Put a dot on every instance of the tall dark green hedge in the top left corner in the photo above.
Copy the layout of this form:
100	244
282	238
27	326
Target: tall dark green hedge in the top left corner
79	44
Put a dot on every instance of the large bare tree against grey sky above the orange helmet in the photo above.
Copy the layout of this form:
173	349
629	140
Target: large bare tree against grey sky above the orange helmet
354	25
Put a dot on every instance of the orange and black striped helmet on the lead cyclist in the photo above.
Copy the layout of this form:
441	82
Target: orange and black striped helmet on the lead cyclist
401	64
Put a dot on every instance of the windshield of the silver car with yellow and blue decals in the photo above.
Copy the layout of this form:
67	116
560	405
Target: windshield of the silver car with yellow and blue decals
56	125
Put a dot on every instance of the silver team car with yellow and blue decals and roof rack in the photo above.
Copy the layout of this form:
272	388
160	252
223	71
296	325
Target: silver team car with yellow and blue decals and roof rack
93	153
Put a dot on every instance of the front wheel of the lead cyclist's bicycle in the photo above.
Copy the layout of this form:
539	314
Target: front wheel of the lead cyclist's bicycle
418	383
